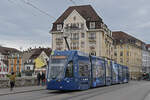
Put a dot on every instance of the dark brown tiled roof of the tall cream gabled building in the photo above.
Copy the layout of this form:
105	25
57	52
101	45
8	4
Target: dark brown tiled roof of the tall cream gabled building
86	11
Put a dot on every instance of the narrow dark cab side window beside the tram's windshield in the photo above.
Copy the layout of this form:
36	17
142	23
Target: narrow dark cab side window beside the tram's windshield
69	70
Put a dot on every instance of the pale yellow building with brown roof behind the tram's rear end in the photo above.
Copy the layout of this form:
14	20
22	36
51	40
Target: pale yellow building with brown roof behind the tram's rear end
128	51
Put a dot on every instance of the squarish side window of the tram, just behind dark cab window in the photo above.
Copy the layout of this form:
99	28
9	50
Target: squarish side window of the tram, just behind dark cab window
83	69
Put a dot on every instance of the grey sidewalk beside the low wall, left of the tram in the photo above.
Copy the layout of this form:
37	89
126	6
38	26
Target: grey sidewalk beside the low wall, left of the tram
21	90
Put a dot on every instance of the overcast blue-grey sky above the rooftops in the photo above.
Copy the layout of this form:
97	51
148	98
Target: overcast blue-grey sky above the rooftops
24	26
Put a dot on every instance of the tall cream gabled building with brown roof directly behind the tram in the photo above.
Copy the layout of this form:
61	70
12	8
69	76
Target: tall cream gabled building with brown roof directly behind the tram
85	31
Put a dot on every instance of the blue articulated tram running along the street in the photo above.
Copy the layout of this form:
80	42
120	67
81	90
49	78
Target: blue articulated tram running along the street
75	70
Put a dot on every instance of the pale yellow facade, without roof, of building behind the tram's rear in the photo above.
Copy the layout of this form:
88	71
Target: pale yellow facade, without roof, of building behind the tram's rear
131	56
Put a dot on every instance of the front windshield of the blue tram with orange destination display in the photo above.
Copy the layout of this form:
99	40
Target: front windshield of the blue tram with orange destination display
57	67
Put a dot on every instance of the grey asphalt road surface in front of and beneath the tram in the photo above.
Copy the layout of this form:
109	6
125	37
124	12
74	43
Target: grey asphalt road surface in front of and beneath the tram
132	91
